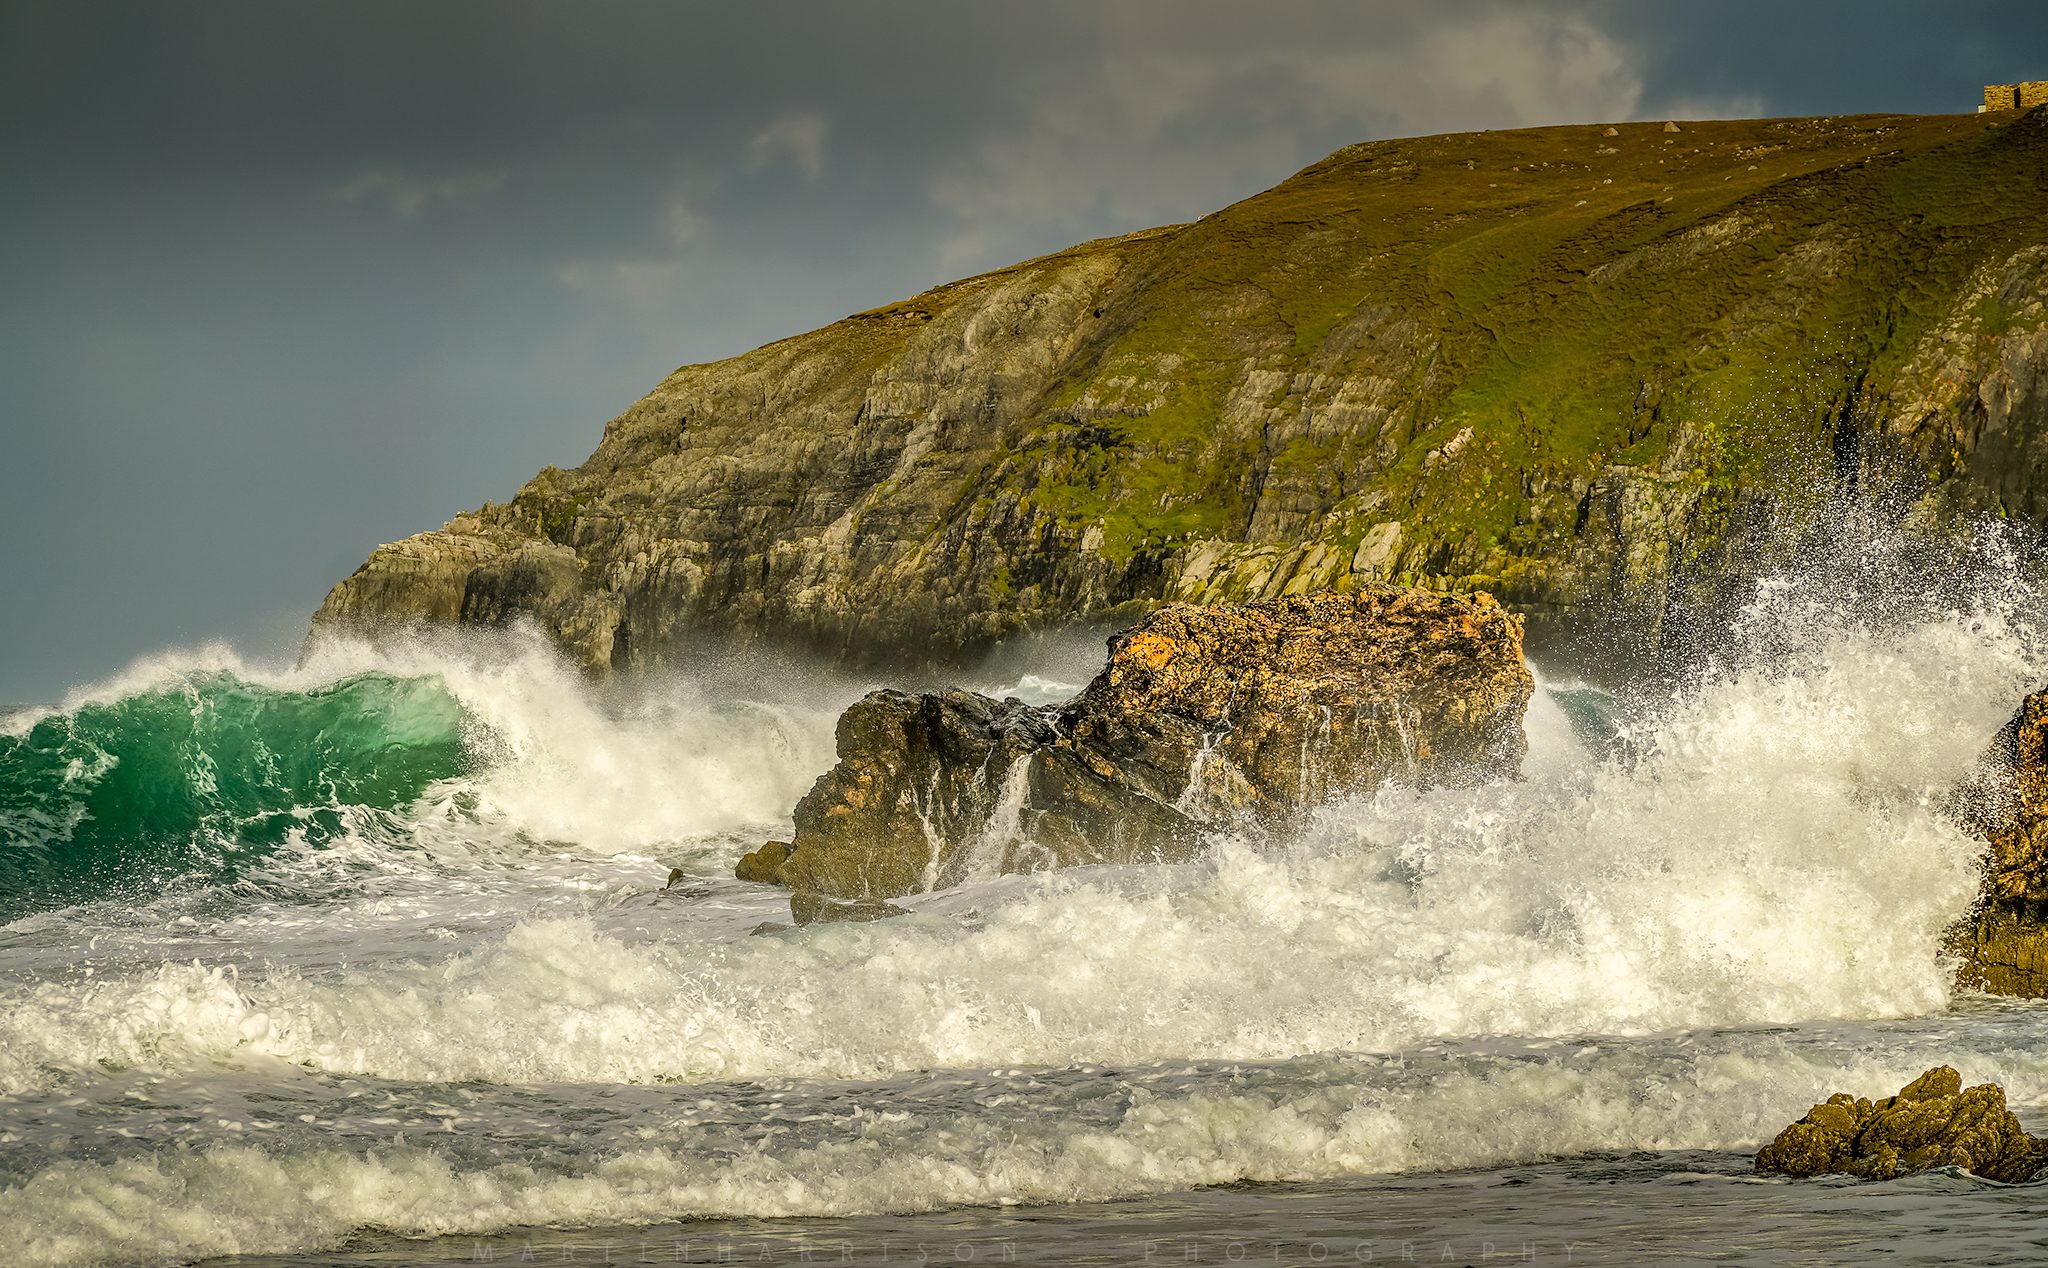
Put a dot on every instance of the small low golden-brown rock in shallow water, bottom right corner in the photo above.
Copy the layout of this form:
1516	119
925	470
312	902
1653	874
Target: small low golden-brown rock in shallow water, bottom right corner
1932	1124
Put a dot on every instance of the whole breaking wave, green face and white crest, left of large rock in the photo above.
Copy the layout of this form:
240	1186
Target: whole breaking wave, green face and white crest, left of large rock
202	769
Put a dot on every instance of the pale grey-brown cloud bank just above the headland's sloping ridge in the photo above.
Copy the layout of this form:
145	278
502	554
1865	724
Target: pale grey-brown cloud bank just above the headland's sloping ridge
1148	132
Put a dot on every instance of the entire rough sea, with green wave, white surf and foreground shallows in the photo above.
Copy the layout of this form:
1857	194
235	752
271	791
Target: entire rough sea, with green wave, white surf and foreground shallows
372	960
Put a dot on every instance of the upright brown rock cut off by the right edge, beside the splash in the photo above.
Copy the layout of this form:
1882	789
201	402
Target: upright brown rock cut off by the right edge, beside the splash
2006	941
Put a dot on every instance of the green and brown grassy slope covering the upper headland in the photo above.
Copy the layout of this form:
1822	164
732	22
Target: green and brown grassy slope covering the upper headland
1566	298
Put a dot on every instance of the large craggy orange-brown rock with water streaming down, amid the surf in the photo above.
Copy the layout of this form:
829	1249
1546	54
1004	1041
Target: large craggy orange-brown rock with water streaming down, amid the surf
1203	718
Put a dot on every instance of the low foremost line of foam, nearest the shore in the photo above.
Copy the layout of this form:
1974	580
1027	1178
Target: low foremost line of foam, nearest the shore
1011	1140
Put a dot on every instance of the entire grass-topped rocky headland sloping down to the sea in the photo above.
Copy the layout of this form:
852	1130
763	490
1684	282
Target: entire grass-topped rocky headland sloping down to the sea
1605	374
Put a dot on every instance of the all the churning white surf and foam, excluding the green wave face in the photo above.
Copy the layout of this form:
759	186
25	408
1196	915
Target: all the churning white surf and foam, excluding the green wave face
488	1015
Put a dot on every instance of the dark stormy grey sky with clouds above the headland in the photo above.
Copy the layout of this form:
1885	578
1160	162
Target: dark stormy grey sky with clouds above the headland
284	282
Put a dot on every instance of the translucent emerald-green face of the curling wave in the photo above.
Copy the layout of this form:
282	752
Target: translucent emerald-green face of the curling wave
204	777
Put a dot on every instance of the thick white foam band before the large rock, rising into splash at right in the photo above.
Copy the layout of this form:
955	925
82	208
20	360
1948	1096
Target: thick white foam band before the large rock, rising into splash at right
1773	853
